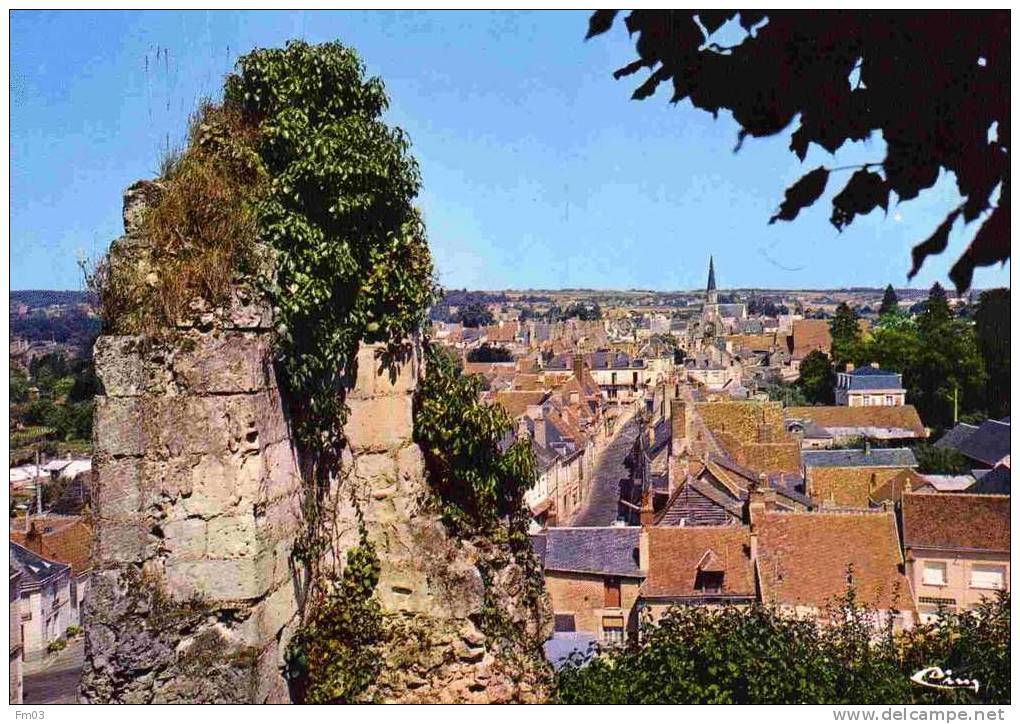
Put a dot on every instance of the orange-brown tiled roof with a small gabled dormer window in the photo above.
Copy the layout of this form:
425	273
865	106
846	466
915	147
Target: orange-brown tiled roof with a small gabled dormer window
677	555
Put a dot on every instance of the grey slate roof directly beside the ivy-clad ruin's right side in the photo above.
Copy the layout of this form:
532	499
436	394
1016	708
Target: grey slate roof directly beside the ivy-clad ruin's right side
610	551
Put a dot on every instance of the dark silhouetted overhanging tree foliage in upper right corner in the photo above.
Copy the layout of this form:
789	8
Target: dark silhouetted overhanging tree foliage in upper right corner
847	77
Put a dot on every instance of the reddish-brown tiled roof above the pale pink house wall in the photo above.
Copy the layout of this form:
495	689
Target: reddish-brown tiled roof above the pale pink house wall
959	521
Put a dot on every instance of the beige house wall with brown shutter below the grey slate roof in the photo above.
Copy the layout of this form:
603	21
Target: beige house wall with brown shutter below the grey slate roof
584	595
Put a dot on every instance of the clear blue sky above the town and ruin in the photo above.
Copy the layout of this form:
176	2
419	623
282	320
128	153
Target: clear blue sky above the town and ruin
539	172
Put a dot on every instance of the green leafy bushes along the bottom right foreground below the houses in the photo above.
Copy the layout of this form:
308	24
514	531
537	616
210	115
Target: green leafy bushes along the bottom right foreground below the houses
758	655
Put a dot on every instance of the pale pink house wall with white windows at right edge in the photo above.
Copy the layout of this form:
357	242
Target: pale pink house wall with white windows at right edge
958	571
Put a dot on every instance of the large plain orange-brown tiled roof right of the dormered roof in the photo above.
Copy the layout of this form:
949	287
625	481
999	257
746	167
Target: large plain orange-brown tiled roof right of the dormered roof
803	559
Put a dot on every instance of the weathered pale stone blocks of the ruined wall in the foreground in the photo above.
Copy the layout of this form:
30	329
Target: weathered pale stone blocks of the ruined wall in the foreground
197	503
